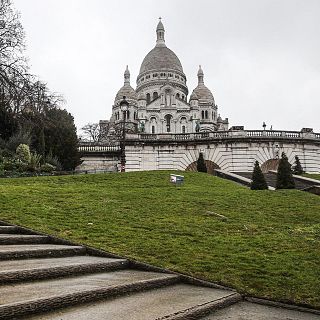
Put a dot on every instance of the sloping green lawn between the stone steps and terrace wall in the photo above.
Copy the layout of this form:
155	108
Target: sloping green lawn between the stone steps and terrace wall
268	246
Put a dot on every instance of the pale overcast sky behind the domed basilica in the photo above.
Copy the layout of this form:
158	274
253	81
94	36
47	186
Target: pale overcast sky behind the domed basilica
261	58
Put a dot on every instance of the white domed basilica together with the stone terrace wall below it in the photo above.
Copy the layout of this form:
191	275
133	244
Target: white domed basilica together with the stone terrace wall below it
160	128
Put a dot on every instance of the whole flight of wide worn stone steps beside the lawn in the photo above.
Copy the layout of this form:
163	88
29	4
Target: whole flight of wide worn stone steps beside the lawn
43	277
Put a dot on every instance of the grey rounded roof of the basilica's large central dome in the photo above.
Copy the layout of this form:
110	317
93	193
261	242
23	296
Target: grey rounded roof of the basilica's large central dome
160	58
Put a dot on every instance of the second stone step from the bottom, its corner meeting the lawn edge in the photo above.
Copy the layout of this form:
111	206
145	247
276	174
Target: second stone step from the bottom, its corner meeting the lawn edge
180	301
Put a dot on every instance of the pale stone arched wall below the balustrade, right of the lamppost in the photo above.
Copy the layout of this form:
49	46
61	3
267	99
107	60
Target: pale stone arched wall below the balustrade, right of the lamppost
231	156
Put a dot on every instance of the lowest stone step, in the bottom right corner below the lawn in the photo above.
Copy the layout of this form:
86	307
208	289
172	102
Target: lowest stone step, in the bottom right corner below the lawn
254	311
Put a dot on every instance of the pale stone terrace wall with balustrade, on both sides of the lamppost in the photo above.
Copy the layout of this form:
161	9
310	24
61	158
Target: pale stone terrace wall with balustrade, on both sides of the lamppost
230	151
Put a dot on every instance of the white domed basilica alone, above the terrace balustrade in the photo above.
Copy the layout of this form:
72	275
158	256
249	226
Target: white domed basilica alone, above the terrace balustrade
159	104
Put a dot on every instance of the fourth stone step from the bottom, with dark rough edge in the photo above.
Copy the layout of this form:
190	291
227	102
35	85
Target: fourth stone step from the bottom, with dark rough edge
33	269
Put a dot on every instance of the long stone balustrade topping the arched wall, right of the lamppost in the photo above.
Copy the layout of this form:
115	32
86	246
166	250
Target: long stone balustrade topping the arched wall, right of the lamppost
218	135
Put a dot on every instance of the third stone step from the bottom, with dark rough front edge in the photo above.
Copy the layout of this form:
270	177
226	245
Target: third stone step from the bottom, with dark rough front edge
25	298
